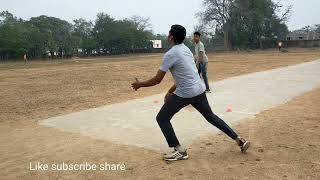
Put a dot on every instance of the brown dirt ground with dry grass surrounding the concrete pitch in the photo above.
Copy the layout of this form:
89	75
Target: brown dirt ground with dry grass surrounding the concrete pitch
286	139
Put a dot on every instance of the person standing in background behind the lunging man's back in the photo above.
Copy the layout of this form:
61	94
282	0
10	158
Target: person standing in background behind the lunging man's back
201	59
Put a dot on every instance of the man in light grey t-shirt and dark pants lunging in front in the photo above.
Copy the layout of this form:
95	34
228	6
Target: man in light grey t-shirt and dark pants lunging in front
188	89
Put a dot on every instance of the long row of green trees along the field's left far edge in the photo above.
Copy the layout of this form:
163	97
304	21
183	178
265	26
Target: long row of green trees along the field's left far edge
45	36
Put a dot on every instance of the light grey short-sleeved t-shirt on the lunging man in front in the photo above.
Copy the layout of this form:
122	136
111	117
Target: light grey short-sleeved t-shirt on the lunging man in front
180	61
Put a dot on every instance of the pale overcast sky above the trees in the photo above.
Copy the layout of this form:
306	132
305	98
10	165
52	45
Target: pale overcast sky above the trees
162	13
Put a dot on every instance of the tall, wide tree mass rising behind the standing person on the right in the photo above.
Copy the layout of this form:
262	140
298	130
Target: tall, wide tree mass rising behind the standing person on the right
246	23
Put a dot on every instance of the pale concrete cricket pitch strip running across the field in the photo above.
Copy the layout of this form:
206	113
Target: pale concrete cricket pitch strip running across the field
133	122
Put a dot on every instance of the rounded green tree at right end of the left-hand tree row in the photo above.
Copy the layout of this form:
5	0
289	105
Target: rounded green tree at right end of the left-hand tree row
120	36
